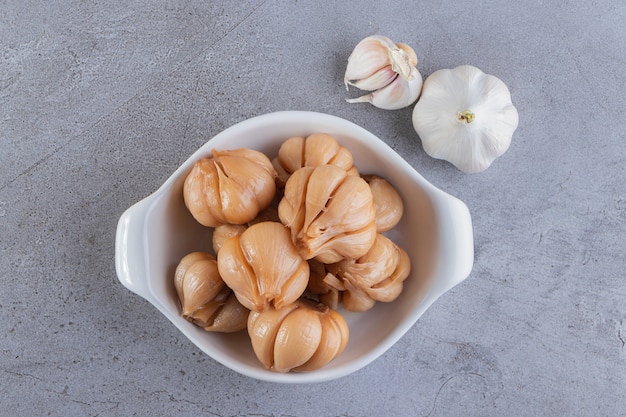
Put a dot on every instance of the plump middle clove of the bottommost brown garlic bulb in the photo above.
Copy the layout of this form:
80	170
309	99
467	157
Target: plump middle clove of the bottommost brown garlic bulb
297	339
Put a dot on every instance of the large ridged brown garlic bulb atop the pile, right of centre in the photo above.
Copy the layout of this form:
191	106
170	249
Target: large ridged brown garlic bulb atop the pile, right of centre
330	213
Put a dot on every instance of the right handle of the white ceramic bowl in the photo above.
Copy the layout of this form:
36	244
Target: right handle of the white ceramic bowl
458	240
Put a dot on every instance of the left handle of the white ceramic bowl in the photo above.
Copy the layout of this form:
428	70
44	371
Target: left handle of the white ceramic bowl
130	258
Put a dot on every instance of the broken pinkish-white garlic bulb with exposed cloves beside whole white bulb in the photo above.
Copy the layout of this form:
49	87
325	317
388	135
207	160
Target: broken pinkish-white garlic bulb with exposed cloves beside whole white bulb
387	69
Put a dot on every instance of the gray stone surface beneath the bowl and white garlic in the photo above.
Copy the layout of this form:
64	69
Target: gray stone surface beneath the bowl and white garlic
101	101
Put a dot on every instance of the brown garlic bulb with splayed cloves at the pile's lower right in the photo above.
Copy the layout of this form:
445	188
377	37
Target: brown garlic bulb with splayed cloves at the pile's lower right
377	276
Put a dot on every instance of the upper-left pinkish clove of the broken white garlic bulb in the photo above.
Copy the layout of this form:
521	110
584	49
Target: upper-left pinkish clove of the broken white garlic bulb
368	56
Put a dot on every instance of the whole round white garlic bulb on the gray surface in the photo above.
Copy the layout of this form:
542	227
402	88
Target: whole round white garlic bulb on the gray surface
465	117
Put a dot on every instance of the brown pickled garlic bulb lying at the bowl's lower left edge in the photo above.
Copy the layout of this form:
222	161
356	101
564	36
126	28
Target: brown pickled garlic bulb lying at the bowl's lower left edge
205	300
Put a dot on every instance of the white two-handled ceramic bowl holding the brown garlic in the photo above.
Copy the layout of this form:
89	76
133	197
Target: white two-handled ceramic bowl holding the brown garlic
436	231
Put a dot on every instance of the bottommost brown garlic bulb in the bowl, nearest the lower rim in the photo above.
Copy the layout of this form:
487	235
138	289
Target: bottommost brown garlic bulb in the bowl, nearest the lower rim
299	337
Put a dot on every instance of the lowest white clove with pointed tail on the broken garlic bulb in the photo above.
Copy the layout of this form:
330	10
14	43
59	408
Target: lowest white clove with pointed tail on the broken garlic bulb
400	93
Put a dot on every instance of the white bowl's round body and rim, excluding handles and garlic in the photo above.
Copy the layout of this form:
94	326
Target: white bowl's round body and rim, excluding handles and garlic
171	233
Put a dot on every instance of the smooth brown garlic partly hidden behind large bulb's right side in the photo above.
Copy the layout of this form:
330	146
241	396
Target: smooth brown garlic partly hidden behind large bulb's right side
387	203
